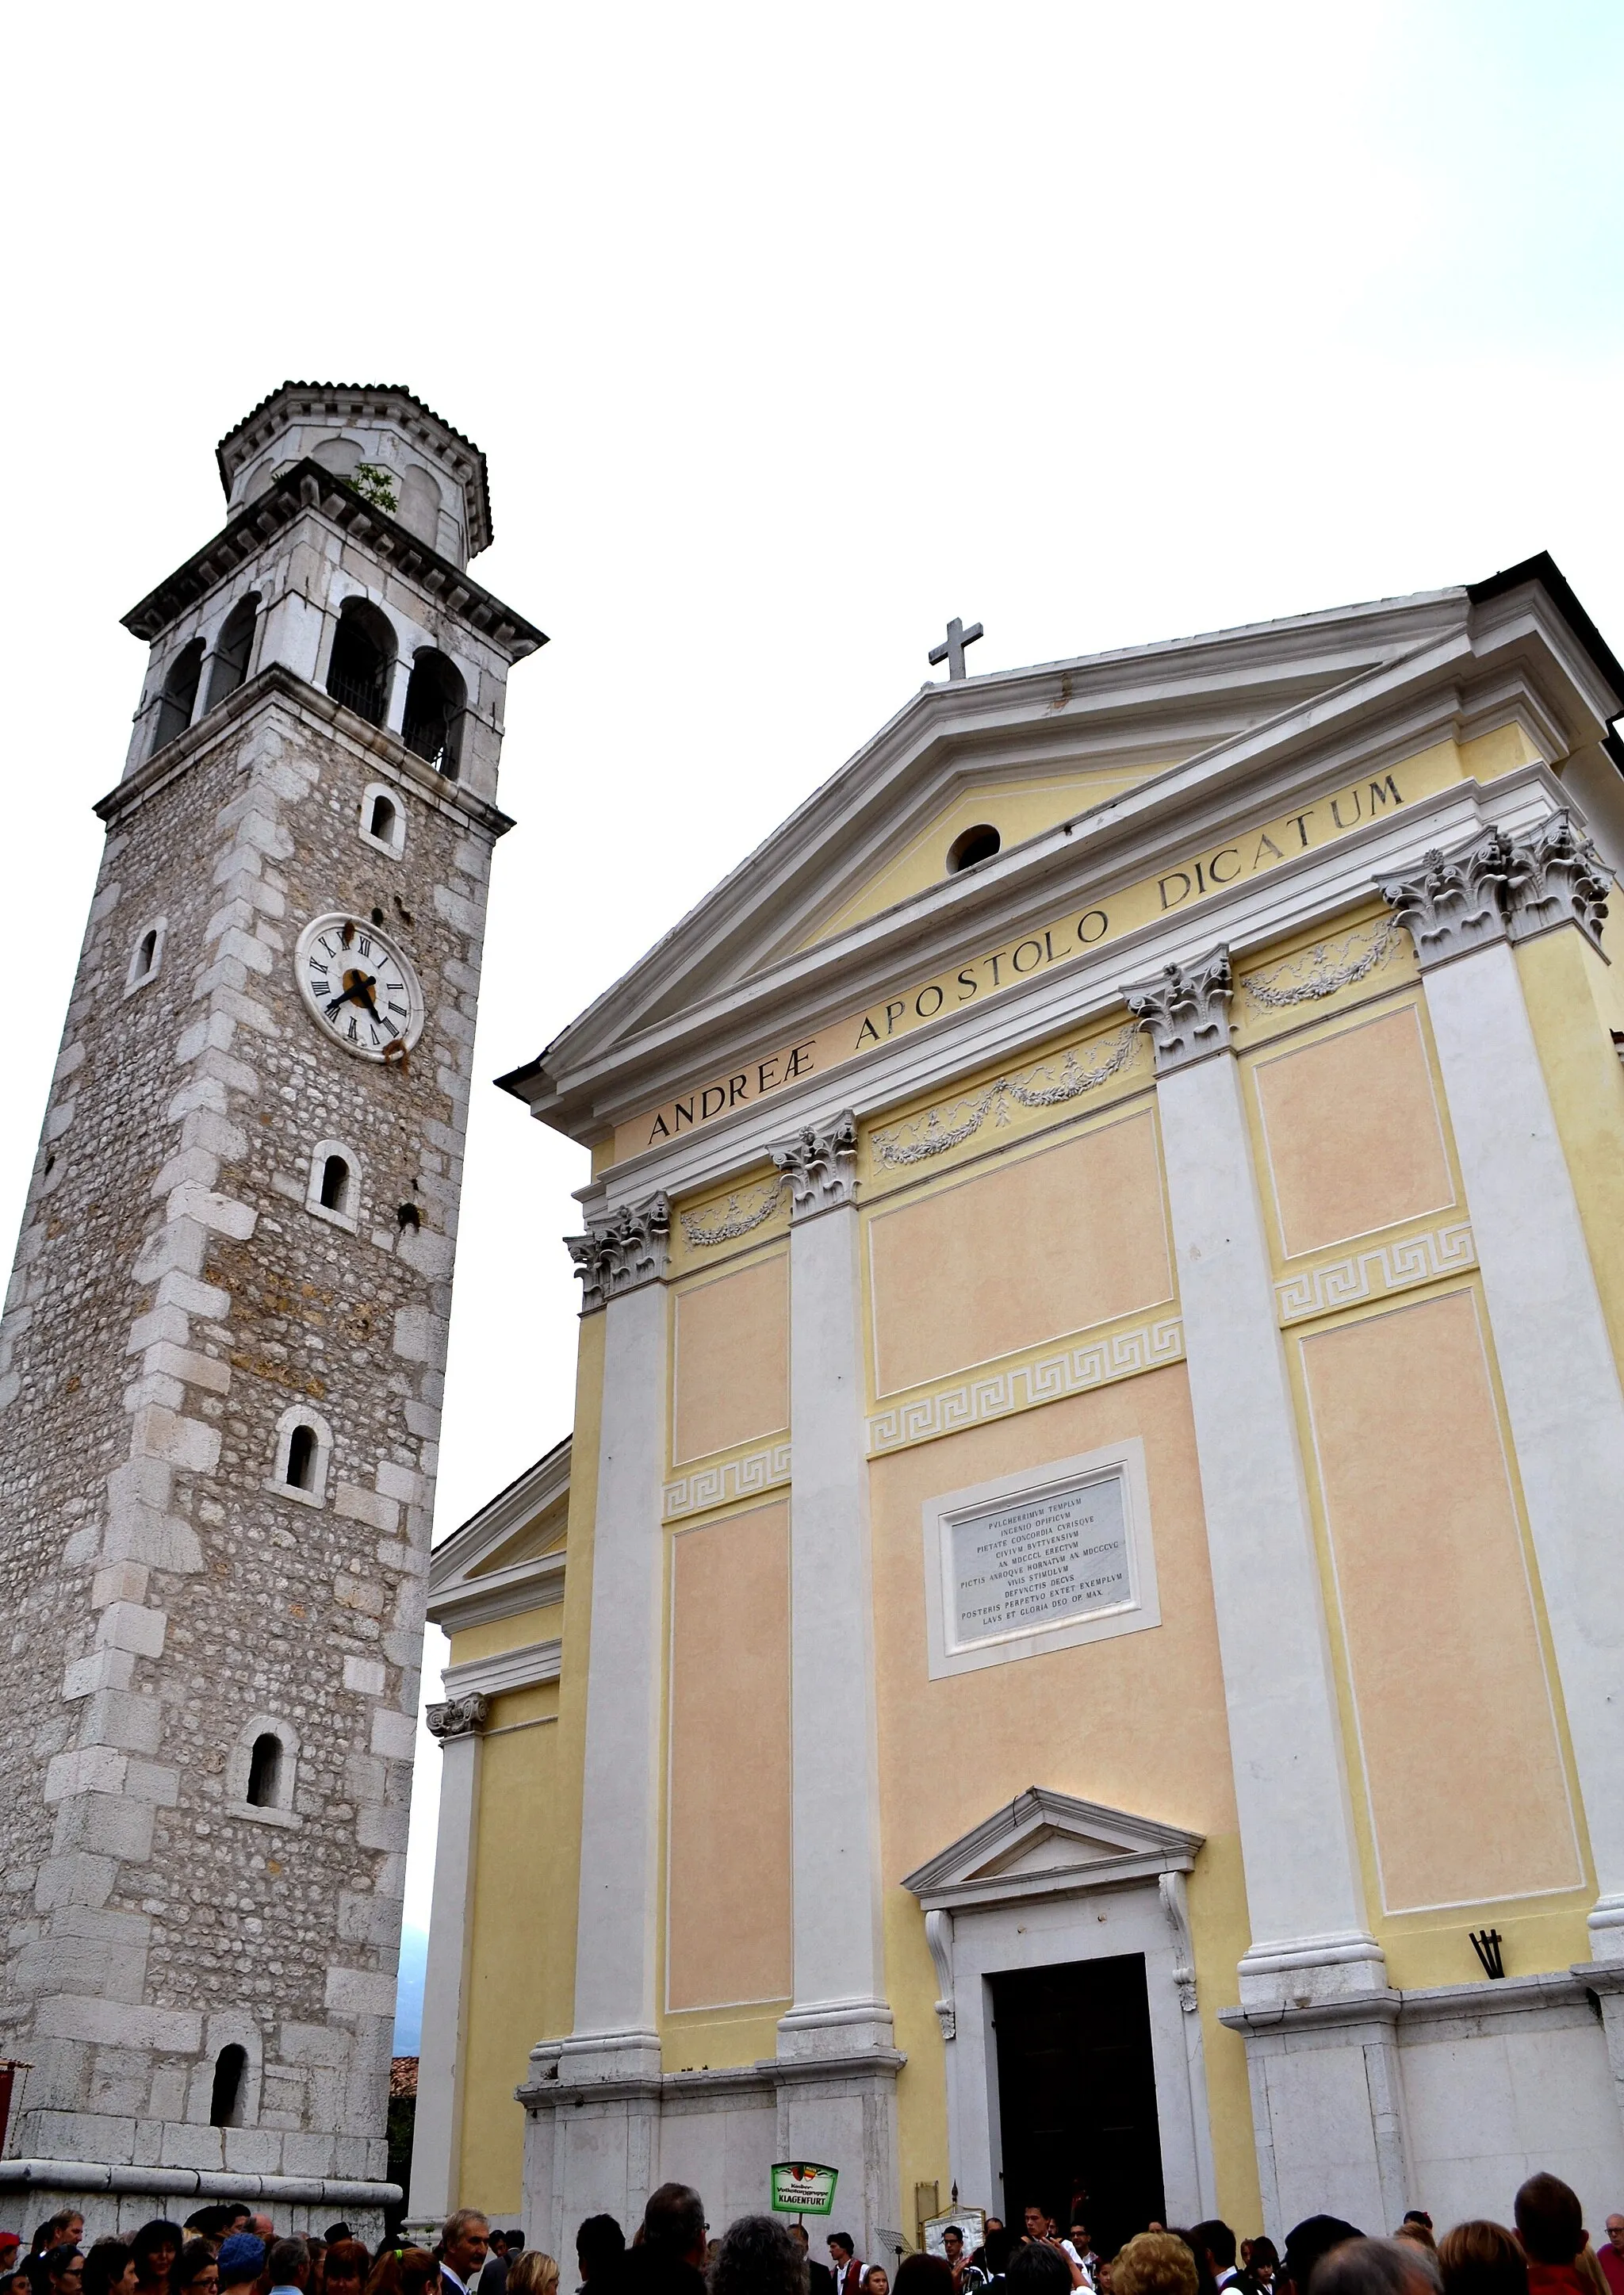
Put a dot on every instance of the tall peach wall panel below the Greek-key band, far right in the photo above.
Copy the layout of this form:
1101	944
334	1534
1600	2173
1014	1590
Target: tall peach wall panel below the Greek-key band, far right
1458	1734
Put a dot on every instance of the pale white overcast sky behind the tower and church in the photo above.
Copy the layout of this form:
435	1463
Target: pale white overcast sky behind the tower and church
788	334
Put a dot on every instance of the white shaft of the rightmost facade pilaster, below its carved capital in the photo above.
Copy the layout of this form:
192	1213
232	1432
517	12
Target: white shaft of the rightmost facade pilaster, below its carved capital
1556	1367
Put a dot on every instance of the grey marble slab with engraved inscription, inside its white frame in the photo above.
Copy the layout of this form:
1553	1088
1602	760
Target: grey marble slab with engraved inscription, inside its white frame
1036	1562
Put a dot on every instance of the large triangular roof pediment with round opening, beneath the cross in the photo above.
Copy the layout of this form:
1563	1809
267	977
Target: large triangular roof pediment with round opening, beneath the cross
1091	770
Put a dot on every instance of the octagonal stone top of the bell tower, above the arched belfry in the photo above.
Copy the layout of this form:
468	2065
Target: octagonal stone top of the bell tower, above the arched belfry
437	476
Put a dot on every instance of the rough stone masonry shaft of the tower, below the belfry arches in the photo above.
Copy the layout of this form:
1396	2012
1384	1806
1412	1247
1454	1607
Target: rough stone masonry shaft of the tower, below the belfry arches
173	1298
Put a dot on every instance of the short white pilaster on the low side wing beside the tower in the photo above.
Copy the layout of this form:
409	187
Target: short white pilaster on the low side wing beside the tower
442	2062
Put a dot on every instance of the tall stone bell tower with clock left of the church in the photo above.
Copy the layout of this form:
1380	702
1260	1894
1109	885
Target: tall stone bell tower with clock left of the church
221	1357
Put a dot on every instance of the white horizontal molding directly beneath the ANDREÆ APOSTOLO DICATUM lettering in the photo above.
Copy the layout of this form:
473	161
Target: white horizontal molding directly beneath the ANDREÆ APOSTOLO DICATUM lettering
1251	915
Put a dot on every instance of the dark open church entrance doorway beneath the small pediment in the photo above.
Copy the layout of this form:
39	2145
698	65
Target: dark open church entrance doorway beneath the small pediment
1077	2096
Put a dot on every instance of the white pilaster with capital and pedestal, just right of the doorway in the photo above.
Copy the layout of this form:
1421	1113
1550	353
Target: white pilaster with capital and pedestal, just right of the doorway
1315	2002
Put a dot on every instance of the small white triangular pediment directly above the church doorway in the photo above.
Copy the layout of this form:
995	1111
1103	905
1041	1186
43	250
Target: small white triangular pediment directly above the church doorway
1052	1844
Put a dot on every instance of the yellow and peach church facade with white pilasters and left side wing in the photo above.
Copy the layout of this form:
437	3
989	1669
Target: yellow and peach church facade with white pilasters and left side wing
1079	1637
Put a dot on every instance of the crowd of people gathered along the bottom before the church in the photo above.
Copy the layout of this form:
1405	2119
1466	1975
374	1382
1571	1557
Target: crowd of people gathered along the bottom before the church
673	2253
